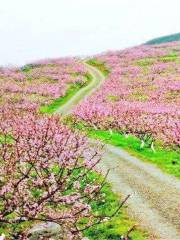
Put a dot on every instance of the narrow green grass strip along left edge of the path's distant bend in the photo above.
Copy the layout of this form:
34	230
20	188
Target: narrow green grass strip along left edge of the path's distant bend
72	90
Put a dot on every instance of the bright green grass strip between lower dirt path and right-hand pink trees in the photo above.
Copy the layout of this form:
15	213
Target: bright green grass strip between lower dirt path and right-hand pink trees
166	159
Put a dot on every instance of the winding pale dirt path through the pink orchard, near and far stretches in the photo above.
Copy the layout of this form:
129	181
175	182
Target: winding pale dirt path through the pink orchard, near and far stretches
155	196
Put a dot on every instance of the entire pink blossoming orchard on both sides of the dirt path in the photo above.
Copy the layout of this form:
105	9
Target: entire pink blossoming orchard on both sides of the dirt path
48	171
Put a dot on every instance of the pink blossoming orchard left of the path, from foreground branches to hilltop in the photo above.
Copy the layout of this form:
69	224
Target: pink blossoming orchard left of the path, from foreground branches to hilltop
48	173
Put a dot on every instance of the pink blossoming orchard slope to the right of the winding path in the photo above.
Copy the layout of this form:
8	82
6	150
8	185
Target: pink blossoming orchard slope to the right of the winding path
140	96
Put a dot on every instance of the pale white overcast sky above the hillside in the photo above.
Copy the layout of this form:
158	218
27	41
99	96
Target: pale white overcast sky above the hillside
36	29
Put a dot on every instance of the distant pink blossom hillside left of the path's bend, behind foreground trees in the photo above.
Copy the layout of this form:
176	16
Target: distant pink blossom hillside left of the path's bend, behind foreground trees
39	83
